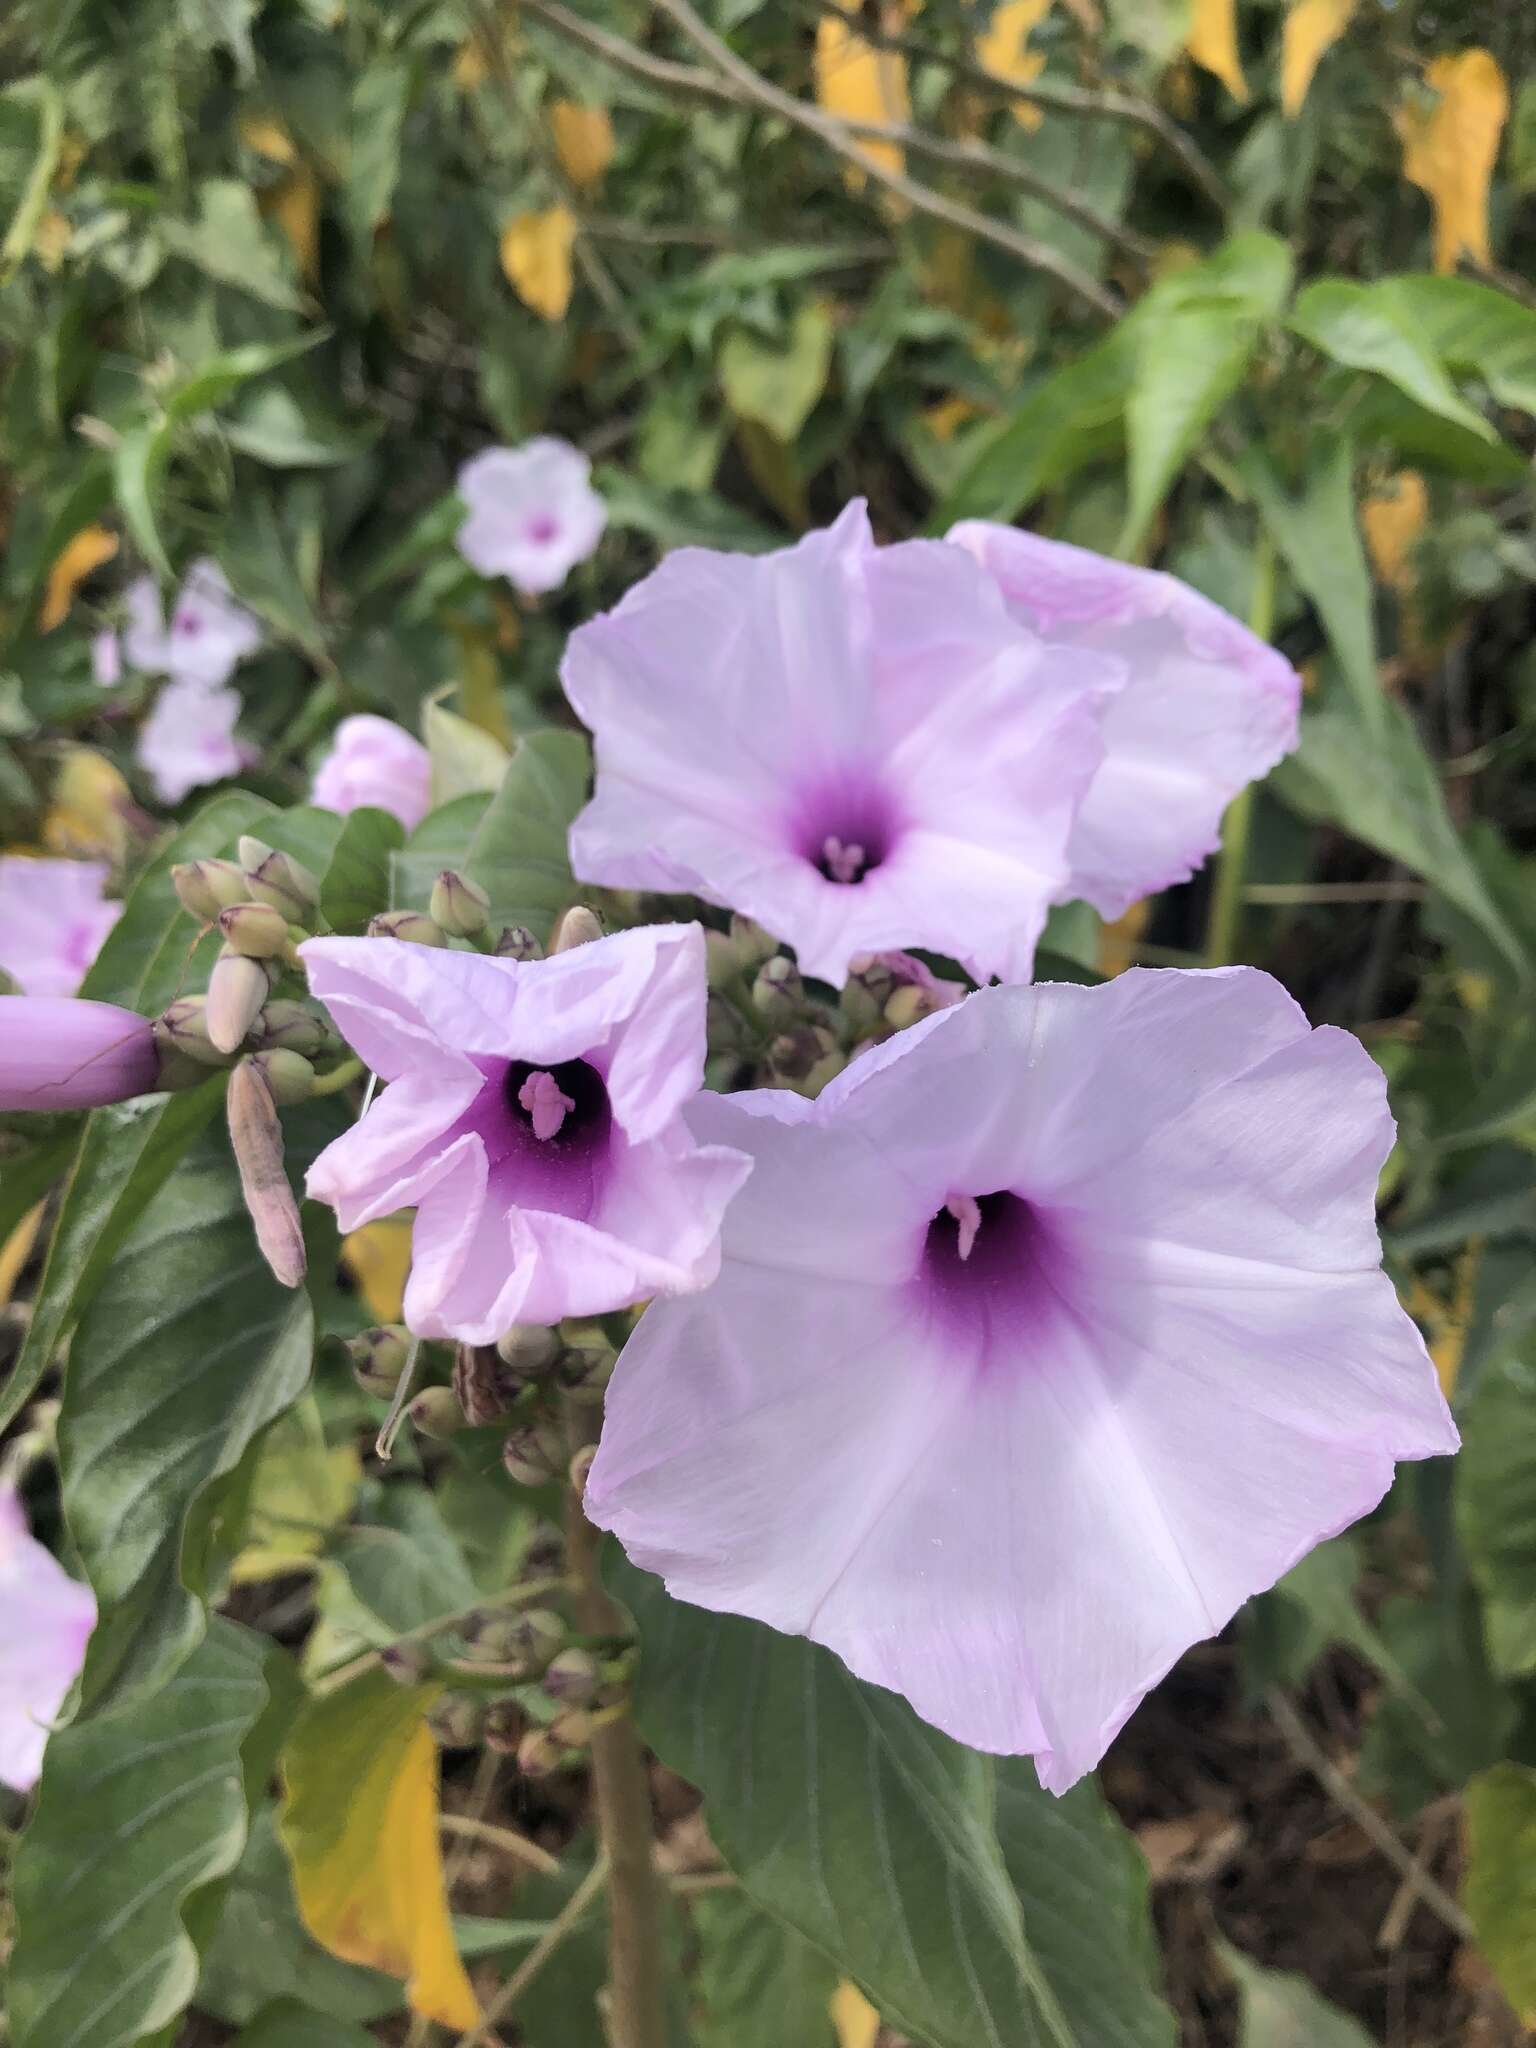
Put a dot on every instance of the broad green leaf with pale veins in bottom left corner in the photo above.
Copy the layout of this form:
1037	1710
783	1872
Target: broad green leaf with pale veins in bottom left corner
136	1818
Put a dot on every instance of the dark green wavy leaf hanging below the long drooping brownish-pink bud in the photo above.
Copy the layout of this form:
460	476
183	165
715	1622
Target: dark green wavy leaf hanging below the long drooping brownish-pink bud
185	1355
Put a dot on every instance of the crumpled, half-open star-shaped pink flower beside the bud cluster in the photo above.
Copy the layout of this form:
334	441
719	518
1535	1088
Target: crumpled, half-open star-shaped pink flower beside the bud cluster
534	1121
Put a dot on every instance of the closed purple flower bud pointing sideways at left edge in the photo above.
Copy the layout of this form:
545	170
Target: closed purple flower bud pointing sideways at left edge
60	1054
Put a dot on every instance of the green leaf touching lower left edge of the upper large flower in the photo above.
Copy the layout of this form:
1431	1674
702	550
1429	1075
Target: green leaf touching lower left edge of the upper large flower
519	853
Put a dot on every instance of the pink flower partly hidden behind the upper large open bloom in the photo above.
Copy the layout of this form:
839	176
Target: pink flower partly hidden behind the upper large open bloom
1207	710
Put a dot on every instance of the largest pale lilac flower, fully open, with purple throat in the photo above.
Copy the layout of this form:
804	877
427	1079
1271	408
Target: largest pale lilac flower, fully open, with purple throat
1048	1336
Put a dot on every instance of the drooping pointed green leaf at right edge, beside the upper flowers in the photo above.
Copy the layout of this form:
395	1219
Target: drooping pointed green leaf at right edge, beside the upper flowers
1377	781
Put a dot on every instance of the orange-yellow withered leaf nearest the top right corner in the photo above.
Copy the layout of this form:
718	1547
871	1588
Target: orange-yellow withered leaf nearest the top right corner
1449	151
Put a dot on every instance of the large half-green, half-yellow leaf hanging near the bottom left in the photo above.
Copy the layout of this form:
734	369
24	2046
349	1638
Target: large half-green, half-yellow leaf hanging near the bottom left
361	1830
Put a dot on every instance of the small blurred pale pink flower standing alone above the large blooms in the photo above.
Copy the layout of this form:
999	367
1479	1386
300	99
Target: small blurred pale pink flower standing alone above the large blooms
534	513
